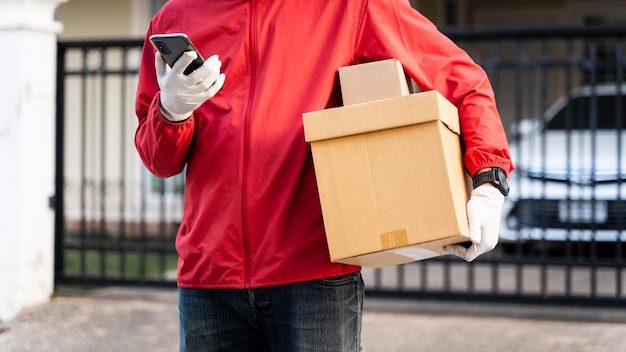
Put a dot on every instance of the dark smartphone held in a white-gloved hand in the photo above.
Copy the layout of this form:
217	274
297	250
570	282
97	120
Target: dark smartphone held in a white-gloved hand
172	46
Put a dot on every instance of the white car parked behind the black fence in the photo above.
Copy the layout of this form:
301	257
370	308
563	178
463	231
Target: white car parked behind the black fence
570	177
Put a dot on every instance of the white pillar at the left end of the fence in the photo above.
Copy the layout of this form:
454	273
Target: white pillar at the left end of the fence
28	35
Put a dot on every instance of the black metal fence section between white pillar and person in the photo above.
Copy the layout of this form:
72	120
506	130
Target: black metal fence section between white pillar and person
114	223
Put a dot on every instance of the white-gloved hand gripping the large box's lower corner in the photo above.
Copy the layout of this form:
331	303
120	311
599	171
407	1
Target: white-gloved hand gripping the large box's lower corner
483	212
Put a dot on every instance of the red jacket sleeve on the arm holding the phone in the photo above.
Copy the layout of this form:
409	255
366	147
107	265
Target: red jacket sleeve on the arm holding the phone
162	145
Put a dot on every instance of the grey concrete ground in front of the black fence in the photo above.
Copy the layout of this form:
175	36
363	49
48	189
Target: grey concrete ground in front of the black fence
132	319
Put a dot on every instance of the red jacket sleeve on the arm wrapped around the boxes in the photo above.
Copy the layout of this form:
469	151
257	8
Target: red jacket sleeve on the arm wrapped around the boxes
392	29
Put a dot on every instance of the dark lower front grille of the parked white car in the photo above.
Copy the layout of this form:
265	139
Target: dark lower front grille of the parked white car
547	213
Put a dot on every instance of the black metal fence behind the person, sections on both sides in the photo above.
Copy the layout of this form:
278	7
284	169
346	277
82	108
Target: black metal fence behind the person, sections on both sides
115	223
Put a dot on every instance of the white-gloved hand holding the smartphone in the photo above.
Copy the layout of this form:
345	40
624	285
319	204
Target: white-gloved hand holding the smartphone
182	94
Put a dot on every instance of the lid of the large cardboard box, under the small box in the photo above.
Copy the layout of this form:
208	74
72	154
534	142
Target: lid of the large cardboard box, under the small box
380	115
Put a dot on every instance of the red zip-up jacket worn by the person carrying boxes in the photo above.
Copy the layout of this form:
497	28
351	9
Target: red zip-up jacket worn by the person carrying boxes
252	215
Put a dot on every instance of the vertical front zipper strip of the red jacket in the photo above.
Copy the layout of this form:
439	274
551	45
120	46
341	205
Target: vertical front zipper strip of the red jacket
246	146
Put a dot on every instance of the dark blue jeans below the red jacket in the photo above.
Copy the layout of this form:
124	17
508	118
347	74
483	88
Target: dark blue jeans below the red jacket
320	315
